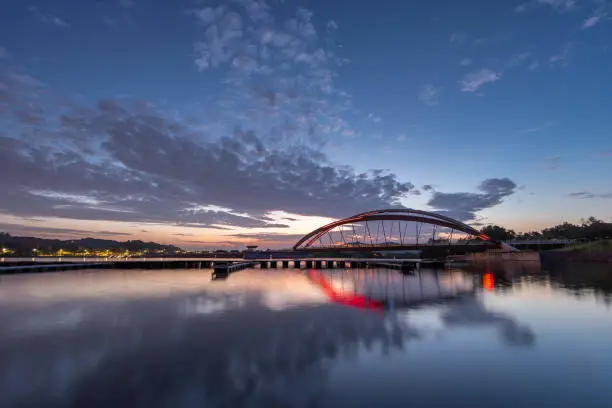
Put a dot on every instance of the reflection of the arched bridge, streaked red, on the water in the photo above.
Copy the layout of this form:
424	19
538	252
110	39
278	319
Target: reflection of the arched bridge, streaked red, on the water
378	288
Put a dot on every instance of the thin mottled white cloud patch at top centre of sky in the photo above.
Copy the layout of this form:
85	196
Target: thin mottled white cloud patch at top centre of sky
275	57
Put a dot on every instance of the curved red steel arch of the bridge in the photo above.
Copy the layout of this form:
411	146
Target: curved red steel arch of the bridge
404	214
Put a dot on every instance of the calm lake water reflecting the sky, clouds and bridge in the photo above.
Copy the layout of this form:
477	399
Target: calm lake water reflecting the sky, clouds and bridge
507	335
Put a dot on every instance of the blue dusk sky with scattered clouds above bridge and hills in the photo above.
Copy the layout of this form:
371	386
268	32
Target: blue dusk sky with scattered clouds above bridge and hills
222	123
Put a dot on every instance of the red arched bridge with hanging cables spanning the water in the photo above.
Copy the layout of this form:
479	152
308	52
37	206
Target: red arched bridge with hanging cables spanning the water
398	230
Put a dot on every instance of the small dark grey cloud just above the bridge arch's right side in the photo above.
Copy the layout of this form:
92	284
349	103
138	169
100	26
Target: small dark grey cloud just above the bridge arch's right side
464	206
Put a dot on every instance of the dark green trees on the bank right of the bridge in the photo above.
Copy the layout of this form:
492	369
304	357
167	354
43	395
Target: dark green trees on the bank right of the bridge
590	229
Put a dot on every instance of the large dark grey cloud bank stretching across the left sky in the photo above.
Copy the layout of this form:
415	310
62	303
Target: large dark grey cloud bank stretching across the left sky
125	160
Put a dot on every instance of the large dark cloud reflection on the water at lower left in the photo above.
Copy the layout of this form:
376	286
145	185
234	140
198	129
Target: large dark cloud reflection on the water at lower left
295	339
